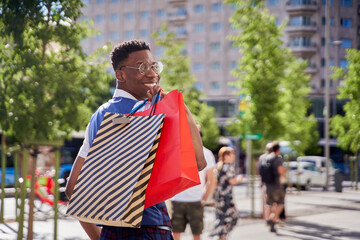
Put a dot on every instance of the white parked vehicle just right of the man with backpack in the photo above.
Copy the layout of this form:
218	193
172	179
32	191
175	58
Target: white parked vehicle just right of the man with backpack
305	174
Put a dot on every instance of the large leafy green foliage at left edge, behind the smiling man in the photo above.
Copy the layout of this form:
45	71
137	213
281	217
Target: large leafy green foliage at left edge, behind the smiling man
47	83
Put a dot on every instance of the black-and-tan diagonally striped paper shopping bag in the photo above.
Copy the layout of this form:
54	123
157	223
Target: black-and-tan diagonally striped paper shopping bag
110	189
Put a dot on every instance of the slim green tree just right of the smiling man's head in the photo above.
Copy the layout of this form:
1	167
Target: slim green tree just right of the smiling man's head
176	75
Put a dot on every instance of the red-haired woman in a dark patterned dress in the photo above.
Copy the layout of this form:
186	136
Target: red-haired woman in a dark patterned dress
226	212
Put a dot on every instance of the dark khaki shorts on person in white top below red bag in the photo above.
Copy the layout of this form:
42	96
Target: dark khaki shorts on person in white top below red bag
187	212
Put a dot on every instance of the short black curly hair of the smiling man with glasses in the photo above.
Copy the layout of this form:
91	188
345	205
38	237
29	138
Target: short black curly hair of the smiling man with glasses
122	51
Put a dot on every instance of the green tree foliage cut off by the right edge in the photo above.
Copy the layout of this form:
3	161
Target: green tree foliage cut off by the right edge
347	128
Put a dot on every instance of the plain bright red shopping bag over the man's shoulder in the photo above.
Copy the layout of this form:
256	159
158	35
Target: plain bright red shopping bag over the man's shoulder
175	168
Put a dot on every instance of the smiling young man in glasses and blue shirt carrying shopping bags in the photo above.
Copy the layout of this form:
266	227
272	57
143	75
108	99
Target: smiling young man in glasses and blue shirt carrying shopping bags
138	76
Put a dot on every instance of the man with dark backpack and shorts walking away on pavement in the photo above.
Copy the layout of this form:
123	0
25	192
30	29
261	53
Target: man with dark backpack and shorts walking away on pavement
273	174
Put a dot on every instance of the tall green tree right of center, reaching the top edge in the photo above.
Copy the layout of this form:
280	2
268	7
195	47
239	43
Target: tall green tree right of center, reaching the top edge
260	69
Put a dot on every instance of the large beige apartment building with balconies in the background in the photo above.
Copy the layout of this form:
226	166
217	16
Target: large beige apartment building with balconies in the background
204	25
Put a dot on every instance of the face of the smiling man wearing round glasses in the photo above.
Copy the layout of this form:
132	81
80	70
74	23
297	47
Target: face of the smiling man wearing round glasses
131	80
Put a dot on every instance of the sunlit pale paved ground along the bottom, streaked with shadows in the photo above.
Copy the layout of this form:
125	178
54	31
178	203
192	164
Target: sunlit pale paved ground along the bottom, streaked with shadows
313	214
